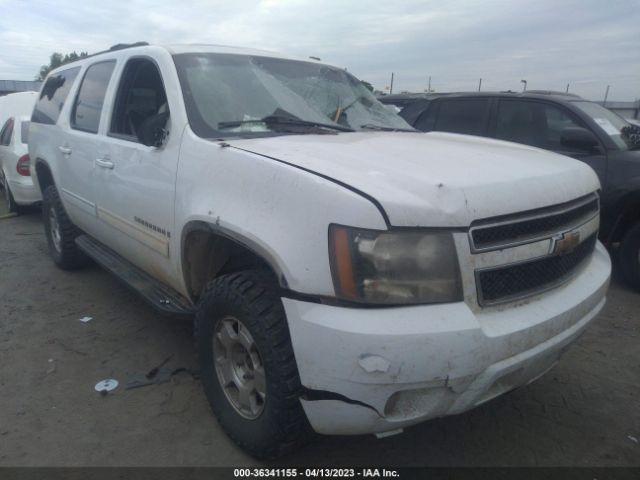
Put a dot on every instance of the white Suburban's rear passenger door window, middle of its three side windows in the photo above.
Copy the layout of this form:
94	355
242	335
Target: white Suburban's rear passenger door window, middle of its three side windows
87	108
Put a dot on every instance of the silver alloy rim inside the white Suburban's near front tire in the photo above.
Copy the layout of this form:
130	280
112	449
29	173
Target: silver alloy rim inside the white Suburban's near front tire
239	367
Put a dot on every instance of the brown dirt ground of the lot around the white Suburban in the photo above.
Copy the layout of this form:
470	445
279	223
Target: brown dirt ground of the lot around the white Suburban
584	413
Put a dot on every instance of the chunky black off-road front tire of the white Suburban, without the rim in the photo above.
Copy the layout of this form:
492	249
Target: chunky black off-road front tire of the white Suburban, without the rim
252	297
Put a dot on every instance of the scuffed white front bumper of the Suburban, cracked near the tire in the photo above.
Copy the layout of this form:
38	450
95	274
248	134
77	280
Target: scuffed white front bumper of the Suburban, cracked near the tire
376	370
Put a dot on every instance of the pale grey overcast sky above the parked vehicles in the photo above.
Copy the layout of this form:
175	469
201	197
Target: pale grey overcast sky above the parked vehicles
587	43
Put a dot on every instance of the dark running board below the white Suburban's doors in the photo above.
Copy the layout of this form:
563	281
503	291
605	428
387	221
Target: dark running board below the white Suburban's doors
160	296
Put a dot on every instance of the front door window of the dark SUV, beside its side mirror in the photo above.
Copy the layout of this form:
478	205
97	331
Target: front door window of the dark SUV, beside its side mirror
532	123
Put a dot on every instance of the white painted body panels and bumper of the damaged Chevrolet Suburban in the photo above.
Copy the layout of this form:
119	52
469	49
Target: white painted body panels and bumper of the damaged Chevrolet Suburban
266	192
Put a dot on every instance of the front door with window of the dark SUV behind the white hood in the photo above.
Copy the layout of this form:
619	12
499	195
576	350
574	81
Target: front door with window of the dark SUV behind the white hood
540	124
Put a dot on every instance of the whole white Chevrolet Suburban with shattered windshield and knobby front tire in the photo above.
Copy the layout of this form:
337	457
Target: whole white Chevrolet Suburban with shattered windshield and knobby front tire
347	274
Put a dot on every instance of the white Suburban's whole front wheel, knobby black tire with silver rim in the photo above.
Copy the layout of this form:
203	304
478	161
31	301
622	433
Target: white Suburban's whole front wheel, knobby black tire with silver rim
248	369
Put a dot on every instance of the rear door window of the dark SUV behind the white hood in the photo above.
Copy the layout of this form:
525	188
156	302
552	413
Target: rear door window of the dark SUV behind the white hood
466	116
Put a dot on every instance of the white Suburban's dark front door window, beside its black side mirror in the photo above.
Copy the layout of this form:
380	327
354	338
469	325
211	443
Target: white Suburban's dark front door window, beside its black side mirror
141	101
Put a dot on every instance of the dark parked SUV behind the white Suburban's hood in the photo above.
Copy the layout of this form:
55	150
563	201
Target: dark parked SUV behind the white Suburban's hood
562	123
